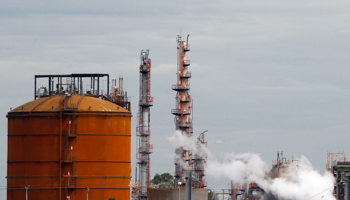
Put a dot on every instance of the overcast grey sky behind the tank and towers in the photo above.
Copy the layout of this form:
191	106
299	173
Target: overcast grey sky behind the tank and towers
266	75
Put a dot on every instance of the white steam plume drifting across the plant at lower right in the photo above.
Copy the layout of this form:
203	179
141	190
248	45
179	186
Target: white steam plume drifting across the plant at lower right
304	183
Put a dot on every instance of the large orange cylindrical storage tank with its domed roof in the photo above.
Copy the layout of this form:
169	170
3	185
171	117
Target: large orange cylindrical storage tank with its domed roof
69	147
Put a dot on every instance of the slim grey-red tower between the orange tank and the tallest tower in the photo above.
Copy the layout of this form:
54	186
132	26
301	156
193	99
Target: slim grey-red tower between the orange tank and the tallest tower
143	129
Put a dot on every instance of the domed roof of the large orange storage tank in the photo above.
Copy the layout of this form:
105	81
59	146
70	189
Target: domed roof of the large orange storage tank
73	102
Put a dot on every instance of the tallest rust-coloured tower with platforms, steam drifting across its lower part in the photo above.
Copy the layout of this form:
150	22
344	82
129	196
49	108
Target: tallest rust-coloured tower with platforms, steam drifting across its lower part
183	111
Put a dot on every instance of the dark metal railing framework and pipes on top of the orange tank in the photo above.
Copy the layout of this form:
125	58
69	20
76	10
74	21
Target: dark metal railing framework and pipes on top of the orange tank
93	85
